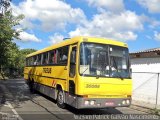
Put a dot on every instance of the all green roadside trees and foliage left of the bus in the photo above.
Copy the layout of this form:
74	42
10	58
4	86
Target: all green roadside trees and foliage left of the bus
12	58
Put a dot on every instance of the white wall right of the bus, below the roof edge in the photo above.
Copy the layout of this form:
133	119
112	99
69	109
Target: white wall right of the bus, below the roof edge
145	76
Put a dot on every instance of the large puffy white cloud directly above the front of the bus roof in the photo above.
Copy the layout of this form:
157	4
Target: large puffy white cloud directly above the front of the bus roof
116	26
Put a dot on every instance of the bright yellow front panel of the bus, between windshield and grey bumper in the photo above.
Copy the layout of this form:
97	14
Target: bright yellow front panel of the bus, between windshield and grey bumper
105	87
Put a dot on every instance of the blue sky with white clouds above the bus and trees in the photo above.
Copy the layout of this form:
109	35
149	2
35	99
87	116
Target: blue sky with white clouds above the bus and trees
47	22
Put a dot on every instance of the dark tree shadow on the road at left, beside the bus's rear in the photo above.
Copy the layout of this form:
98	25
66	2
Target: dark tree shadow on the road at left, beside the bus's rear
15	91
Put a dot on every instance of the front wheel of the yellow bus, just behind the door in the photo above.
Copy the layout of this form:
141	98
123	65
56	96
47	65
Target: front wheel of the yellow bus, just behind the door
60	99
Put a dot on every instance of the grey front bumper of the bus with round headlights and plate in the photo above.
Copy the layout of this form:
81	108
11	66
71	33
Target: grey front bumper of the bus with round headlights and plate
80	102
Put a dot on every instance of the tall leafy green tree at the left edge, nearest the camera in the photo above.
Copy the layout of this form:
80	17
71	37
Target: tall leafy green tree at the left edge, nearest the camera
8	32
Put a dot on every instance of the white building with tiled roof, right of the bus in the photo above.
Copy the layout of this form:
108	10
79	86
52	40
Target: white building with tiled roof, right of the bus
146	74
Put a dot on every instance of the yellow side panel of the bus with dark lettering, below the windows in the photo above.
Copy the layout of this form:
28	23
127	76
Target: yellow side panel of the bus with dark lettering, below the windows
43	76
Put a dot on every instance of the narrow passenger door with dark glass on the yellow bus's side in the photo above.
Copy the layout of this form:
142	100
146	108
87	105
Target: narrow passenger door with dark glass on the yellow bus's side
72	70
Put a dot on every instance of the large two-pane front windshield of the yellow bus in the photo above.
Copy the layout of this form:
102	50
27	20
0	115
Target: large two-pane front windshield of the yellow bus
104	60
